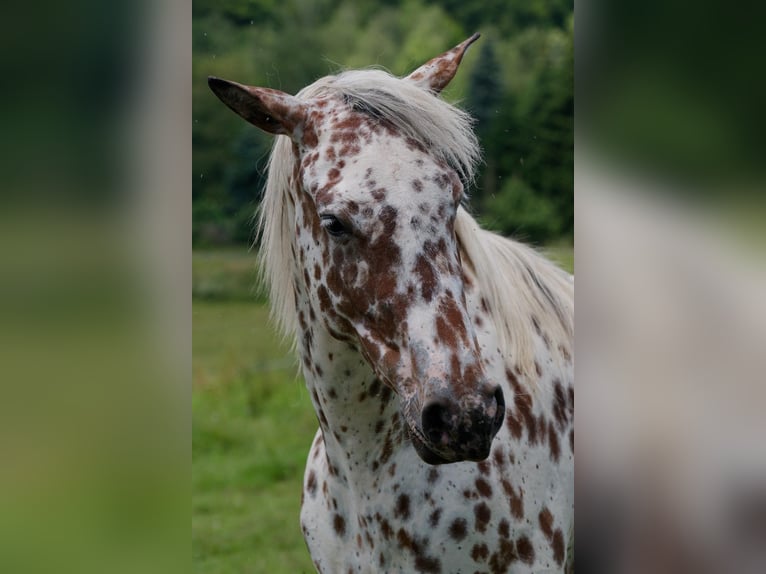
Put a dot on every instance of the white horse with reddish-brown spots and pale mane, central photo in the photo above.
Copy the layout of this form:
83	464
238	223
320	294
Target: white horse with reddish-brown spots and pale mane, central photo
438	355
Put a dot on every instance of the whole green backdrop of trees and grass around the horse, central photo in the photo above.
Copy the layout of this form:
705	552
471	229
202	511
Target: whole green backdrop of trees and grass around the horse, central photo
252	419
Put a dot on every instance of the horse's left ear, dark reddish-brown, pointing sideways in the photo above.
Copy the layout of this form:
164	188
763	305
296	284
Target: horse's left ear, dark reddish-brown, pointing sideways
271	110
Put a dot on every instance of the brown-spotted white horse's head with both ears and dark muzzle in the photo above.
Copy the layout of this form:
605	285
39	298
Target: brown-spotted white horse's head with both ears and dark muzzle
376	186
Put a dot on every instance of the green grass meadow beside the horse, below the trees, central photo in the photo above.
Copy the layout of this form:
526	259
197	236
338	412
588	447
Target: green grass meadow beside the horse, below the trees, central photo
252	424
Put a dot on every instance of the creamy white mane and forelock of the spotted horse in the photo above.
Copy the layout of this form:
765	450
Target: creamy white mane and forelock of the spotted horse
517	283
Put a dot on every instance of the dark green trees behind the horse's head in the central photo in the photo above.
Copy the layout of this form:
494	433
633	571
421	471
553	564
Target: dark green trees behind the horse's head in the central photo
517	81
